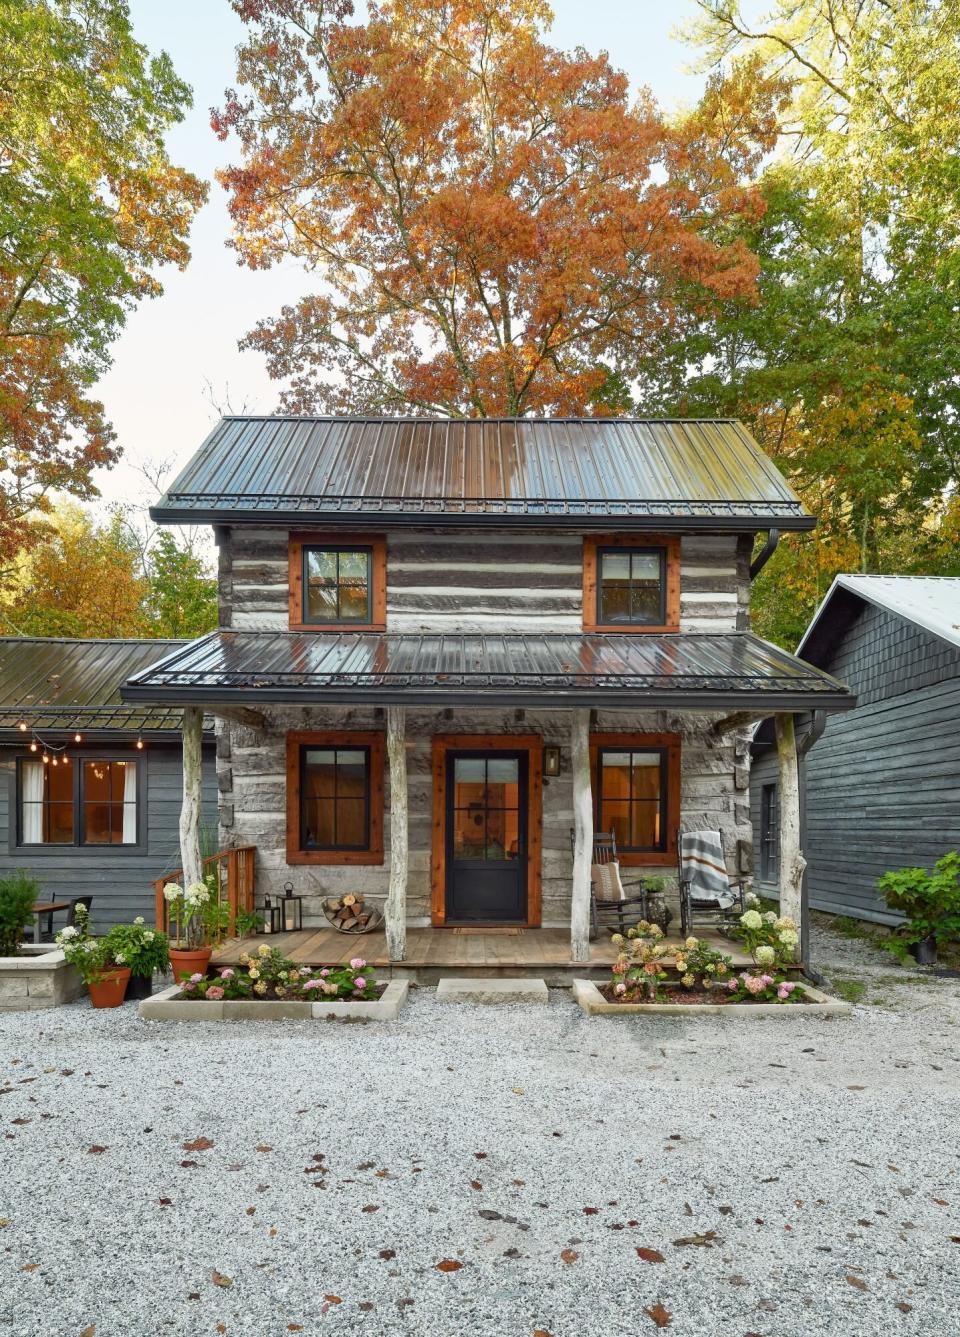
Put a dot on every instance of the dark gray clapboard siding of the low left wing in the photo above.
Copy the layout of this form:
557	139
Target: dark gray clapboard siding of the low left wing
122	883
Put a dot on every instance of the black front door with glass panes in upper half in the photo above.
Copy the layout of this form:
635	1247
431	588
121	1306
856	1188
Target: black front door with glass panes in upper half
486	838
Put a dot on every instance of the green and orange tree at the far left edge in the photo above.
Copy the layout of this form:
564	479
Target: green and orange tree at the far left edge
90	208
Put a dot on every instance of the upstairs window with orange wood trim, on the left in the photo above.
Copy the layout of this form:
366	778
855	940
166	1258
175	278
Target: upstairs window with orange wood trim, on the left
338	582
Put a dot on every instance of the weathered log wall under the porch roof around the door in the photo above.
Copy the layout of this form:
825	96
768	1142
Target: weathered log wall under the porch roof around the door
255	803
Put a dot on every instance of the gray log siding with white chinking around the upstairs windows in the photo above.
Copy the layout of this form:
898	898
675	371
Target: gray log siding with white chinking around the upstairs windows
471	582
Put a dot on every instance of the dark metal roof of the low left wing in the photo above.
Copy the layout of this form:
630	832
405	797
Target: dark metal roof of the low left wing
54	684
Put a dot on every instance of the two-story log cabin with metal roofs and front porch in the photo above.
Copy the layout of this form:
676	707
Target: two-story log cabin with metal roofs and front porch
446	646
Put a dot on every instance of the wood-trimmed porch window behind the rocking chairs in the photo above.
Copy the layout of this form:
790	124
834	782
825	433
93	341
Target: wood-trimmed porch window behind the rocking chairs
637	791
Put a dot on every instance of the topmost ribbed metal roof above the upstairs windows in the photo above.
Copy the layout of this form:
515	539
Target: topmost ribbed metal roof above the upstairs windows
637	473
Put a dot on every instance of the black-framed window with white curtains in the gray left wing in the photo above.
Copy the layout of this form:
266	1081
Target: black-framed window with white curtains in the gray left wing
78	803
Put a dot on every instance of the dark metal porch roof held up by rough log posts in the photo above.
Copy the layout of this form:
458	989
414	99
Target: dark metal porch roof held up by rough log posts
687	671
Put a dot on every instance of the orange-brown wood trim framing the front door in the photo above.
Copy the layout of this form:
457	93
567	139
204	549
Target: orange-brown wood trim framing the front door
533	745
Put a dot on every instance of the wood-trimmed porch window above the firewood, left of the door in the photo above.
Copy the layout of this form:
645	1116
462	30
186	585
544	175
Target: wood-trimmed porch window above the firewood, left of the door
335	798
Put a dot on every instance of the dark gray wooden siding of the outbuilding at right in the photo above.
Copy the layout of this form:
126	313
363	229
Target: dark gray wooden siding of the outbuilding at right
883	784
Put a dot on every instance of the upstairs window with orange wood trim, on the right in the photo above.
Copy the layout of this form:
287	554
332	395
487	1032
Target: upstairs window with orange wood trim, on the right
632	584
